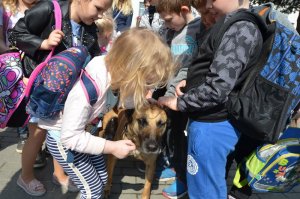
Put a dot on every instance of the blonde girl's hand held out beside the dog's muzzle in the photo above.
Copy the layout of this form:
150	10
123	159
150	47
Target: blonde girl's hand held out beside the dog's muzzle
120	148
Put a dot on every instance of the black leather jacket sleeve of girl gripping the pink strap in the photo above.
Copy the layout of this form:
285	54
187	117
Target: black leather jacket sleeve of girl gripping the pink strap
27	33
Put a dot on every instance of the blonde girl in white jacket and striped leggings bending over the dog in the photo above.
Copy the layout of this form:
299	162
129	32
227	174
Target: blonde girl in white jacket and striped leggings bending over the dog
144	65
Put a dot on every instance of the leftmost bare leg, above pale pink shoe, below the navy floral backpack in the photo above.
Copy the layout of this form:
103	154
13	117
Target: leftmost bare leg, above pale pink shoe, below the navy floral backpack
30	151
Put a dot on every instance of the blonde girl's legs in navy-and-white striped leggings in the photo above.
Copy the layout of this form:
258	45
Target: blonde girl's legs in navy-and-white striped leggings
86	171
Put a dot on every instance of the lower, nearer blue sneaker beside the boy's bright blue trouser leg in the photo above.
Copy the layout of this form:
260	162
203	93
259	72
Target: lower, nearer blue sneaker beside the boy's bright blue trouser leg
176	190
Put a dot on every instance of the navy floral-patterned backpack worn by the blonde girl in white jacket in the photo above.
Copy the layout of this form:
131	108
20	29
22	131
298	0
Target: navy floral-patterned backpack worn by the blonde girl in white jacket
56	79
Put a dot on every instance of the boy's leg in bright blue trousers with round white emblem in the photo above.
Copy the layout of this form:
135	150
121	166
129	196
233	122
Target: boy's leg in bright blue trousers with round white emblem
208	147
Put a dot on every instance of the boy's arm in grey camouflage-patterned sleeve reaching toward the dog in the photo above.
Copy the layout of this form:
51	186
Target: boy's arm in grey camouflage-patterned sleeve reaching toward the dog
238	44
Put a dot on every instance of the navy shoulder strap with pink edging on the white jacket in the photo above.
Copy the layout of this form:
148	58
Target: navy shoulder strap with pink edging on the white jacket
90	87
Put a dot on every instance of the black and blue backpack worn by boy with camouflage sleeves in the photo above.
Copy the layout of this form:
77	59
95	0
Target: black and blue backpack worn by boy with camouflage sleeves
262	107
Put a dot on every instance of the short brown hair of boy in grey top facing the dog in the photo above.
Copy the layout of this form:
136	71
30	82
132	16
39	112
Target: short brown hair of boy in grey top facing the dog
171	6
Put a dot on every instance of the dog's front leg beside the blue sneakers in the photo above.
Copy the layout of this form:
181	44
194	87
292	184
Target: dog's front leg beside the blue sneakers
149	175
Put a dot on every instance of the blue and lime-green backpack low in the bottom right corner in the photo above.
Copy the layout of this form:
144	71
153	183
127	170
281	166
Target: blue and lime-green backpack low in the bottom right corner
272	167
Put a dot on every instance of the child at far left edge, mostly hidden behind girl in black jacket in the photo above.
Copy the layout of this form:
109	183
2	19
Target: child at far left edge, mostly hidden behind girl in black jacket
14	10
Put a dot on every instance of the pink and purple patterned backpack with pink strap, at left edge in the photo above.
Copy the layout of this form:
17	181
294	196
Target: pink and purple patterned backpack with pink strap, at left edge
14	92
